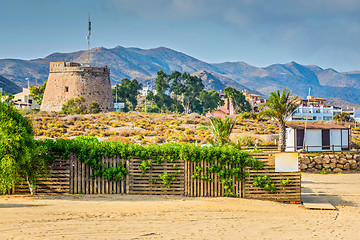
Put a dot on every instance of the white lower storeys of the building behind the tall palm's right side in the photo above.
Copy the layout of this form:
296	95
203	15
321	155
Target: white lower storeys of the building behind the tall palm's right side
315	113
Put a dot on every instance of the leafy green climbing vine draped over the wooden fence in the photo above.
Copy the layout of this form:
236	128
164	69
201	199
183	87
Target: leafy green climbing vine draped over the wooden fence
226	162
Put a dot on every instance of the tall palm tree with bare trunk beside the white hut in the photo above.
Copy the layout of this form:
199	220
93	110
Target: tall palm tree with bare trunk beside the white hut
280	107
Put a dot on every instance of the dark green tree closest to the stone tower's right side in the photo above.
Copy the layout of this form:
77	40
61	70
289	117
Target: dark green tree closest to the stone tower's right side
127	92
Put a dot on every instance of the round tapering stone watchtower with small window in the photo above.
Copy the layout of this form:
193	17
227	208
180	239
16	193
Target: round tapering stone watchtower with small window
68	80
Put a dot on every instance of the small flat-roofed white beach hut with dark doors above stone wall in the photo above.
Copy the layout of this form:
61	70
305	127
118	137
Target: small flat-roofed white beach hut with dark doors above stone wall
317	137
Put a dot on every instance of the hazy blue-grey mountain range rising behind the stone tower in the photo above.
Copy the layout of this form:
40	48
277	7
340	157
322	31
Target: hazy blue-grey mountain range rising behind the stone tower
143	65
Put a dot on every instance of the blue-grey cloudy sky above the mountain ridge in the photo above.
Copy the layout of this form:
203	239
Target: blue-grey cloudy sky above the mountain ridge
259	32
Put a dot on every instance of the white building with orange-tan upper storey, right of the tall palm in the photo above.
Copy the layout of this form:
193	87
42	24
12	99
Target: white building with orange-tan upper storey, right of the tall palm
315	109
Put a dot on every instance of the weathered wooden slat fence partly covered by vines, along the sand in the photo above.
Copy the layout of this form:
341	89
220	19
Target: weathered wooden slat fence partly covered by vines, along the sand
74	177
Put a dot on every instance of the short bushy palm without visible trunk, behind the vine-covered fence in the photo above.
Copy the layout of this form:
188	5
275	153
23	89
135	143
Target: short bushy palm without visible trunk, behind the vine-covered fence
221	129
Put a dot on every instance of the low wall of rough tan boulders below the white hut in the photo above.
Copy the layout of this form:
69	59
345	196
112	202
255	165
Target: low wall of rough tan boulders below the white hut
330	162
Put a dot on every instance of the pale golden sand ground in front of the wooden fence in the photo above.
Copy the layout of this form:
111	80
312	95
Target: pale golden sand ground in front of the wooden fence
169	217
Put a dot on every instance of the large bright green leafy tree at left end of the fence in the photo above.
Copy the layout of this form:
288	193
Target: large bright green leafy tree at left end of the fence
20	156
